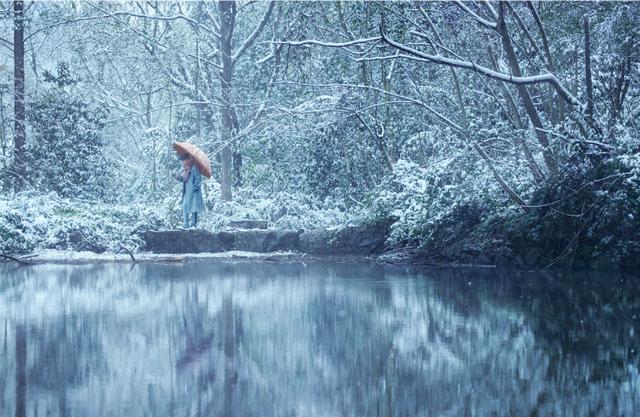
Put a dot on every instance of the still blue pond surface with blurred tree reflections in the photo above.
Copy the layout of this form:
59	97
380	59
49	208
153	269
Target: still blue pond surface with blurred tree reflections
317	339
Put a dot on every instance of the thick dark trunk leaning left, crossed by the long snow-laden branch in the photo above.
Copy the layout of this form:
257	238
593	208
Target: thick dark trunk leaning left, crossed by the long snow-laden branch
529	106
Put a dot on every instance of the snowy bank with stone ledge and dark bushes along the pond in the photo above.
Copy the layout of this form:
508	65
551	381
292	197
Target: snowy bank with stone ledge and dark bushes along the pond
606	234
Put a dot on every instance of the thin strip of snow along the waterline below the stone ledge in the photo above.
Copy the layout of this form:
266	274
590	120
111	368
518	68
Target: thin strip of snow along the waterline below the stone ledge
63	256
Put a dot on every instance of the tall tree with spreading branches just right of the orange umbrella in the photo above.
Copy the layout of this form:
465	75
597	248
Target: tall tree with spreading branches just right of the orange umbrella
216	59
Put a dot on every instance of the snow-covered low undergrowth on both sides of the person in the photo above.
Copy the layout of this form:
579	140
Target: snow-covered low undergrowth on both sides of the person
32	222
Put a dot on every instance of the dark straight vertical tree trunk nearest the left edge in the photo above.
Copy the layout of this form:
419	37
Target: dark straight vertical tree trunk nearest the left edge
18	88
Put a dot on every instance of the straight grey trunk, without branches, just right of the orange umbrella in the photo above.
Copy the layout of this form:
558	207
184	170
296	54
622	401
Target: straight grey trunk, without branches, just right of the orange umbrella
227	22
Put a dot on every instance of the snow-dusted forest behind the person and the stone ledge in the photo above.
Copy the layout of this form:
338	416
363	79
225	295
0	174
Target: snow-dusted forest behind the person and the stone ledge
496	131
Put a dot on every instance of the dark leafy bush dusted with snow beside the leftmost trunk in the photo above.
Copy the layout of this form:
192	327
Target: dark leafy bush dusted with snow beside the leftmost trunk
65	150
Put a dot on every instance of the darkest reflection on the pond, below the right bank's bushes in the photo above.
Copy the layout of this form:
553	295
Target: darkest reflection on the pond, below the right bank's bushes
584	317
